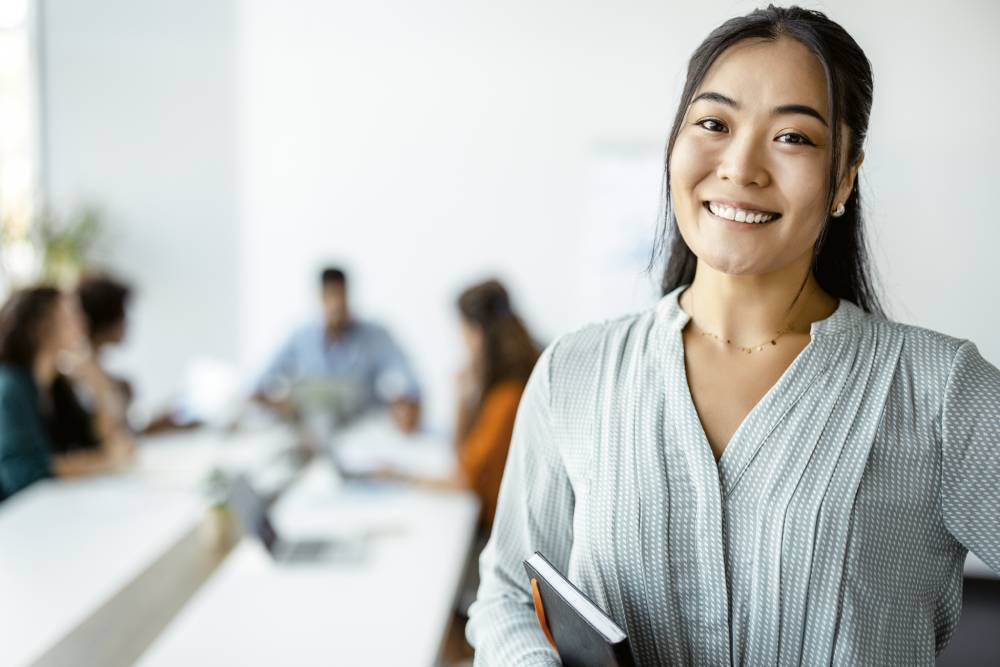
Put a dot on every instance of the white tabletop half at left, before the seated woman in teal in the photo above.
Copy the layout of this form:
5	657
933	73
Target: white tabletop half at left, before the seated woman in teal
68	546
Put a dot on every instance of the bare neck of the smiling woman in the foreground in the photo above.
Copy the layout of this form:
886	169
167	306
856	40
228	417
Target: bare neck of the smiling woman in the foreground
748	309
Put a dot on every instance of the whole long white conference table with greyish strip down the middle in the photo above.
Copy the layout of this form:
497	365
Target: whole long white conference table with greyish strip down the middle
93	570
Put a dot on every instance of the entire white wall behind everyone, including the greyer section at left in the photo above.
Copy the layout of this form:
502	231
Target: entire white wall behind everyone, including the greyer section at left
428	144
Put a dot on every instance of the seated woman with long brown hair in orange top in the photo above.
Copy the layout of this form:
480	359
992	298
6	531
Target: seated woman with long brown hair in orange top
501	355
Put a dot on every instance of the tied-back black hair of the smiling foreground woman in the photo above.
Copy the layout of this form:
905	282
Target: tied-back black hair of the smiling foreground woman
840	256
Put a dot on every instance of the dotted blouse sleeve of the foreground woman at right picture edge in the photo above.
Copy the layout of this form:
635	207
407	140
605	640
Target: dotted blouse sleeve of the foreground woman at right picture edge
970	476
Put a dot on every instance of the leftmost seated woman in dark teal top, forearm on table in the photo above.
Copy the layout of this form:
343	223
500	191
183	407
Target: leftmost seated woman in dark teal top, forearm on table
37	327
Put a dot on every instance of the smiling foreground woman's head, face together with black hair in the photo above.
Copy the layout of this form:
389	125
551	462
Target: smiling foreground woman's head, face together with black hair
779	110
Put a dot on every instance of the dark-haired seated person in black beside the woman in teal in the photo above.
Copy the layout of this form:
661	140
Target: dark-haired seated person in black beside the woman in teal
89	405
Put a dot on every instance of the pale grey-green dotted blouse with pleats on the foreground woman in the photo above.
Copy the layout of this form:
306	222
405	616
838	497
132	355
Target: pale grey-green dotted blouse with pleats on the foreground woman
833	530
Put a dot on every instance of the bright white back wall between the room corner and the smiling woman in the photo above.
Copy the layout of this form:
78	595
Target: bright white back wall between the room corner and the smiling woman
430	146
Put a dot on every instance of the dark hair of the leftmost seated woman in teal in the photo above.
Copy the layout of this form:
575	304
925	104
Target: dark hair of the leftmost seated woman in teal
21	322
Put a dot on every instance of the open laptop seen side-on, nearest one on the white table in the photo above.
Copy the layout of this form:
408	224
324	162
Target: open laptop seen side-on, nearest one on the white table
251	512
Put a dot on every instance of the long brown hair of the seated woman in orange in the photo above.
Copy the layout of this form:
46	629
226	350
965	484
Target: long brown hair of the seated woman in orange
509	353
